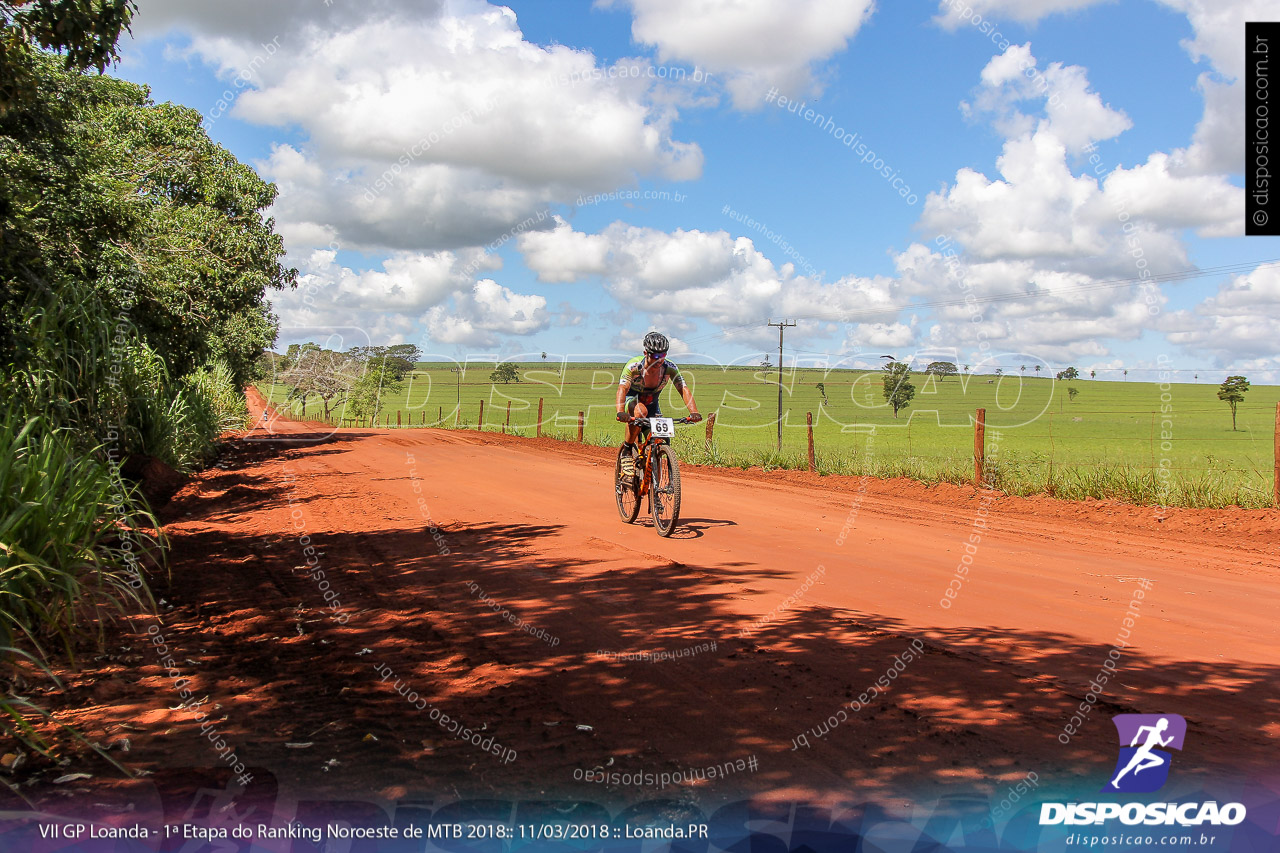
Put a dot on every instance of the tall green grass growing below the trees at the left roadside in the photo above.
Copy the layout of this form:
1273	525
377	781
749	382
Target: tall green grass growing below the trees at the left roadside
79	395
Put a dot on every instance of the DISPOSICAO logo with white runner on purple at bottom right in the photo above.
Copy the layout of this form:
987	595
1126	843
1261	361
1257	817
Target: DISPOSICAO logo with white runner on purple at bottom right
1144	768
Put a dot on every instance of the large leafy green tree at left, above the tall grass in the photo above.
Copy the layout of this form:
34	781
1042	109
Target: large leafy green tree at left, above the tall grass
132	204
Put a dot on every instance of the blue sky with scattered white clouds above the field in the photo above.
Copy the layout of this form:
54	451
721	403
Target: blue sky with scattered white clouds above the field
431	159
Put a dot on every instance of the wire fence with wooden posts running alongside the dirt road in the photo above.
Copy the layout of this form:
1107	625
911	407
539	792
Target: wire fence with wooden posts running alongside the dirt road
1178	458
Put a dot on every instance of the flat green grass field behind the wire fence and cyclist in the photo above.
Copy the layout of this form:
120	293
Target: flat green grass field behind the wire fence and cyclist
1113	441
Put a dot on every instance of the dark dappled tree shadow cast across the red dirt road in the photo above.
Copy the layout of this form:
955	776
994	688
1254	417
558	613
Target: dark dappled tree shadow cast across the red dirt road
584	655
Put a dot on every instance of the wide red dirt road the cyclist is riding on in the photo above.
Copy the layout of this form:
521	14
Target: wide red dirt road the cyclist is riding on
830	583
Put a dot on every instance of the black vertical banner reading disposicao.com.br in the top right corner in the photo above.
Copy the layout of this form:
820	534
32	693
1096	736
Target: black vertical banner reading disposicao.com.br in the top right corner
1263	79
